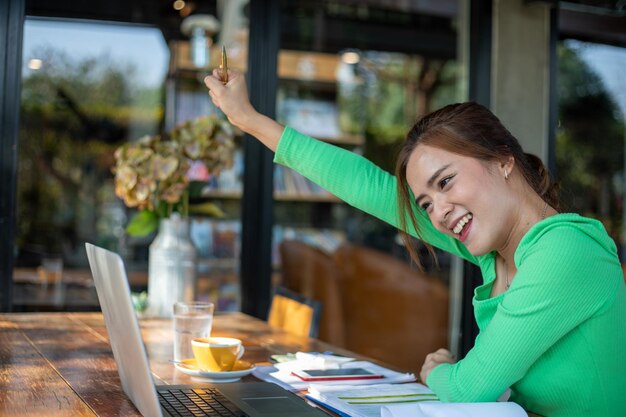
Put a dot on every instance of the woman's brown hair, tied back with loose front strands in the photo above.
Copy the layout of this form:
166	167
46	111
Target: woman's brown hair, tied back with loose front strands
468	129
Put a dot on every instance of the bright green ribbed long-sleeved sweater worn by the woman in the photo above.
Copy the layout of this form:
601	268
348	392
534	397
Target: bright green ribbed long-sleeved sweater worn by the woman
556	337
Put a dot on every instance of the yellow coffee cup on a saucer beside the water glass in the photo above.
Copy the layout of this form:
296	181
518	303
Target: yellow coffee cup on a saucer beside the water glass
216	354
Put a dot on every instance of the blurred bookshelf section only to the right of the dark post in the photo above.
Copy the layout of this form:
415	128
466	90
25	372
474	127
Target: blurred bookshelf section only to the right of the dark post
311	99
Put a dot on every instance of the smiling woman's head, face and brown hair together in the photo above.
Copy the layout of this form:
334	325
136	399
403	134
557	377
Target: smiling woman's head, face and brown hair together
462	153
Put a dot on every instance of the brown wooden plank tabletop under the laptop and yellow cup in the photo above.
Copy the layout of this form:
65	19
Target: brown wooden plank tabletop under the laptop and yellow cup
60	364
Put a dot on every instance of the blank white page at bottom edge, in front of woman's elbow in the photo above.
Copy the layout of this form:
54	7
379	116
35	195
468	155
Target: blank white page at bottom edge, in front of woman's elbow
494	409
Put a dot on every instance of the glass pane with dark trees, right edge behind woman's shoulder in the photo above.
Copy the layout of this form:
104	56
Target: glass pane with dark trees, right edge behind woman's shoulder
590	132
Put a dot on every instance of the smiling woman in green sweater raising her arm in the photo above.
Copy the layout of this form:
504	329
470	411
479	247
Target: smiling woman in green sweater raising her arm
552	308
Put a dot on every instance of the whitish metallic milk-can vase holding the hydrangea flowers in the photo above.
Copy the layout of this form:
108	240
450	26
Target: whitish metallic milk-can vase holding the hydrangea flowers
172	267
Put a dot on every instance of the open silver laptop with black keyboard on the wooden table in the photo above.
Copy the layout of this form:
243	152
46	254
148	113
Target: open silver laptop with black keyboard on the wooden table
253	399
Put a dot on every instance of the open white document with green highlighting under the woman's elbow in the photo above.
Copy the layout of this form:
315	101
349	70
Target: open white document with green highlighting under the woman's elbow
401	400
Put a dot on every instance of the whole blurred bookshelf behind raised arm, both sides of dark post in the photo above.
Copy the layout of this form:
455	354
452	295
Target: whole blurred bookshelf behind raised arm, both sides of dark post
308	100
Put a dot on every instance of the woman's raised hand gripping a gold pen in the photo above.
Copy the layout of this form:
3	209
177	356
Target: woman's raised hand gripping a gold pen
232	98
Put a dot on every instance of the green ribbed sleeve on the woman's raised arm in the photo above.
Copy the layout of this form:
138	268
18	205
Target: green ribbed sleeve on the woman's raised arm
357	181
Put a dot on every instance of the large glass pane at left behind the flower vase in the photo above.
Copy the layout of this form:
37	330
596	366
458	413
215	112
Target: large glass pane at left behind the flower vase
89	88
